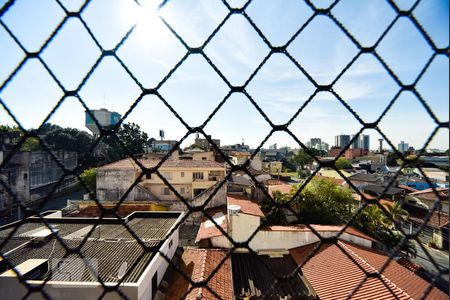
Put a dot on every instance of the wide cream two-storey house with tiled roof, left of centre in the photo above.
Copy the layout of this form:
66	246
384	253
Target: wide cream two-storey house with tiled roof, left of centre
190	178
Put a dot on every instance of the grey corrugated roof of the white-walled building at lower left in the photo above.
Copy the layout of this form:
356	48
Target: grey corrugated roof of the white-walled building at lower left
109	244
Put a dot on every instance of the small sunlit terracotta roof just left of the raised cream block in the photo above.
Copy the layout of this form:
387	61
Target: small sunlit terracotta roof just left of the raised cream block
208	229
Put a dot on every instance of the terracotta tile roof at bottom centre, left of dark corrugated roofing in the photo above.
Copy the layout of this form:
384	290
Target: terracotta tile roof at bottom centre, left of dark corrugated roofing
198	264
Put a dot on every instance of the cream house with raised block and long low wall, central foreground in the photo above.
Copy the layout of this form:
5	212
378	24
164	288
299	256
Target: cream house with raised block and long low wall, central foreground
242	218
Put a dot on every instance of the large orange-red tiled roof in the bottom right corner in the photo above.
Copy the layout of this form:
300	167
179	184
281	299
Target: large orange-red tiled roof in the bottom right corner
331	262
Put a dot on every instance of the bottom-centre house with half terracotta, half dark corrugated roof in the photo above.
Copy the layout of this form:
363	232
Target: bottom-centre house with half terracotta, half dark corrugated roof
238	276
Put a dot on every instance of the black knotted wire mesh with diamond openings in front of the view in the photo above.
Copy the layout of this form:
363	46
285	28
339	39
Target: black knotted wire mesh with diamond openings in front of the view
232	89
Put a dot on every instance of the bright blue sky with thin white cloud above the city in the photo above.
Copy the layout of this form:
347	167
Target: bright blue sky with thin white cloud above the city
194	90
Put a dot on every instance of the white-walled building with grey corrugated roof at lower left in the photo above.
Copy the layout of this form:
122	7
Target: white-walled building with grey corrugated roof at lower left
110	253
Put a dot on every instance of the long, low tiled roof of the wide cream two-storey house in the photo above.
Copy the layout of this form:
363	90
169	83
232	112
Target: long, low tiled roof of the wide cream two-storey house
128	163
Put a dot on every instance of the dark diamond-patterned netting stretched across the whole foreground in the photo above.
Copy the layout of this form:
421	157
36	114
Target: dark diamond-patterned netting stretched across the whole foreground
399	14
